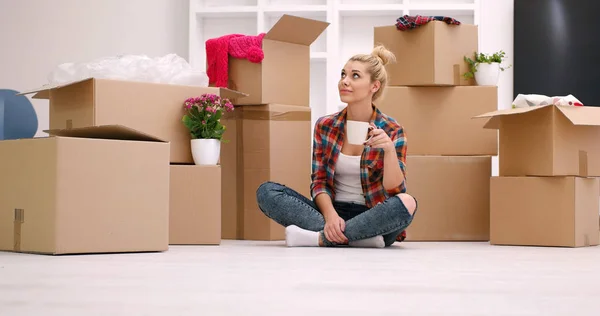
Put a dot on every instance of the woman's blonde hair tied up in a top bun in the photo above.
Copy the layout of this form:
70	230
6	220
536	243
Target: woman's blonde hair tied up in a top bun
376	61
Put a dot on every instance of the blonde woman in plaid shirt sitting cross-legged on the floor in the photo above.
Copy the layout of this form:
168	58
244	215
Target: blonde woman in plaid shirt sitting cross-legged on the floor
359	193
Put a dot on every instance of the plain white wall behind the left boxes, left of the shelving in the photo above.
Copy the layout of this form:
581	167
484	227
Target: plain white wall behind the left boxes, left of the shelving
37	35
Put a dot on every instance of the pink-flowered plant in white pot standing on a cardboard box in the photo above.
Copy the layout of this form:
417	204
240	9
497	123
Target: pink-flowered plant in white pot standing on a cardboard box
203	120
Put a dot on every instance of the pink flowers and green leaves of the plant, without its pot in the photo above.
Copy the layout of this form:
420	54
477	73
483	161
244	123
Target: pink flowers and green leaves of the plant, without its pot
203	116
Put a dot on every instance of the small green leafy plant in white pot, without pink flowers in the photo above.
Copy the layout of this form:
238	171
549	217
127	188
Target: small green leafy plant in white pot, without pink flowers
485	68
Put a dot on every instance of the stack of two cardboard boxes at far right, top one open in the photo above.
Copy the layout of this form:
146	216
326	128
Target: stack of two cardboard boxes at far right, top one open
547	190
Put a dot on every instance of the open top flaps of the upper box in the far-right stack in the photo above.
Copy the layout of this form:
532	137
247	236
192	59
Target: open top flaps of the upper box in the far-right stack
577	115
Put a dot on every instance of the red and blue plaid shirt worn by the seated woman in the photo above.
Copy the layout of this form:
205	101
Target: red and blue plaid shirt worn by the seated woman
327	144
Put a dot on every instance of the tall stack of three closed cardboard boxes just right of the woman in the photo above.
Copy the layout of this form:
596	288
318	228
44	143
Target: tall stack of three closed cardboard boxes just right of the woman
449	153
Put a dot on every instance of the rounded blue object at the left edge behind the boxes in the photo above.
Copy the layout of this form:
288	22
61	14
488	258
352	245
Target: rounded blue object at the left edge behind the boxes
17	116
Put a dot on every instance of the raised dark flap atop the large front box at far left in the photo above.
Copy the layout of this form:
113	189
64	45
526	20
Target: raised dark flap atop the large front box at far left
117	132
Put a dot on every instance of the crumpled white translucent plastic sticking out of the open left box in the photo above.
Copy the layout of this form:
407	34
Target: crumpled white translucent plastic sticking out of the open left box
170	69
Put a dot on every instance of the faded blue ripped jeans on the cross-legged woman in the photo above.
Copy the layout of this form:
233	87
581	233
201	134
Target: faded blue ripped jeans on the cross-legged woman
287	207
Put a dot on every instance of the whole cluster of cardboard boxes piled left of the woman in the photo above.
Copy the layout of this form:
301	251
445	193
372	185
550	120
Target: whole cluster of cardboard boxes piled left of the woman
117	174
